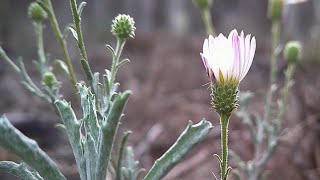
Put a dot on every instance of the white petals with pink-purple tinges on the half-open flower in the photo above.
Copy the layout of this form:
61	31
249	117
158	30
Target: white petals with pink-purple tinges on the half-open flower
228	60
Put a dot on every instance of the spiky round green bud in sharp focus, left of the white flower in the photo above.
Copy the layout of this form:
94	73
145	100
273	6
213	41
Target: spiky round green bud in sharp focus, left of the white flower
123	27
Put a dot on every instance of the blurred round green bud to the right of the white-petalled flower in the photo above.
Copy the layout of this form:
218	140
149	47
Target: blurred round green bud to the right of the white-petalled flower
292	52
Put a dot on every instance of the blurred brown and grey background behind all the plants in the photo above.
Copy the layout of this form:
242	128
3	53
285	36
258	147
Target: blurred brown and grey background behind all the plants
167	78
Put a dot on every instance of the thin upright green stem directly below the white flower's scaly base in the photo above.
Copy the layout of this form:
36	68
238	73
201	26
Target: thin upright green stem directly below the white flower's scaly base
224	121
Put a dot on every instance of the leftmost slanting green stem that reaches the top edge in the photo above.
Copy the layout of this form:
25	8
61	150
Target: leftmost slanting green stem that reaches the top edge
61	40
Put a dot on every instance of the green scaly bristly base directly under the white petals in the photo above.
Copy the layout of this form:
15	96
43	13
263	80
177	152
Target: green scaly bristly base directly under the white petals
224	97
